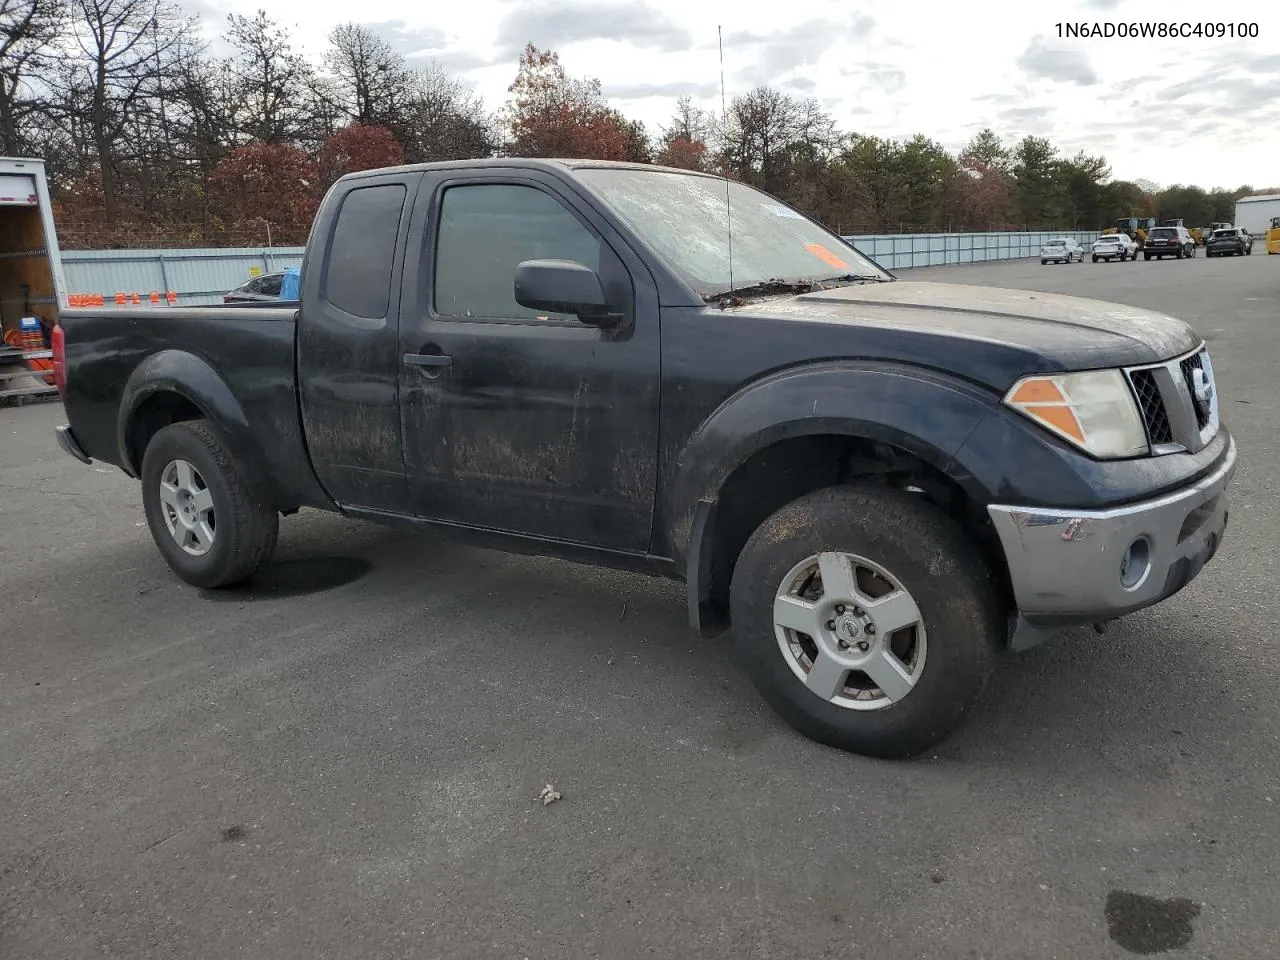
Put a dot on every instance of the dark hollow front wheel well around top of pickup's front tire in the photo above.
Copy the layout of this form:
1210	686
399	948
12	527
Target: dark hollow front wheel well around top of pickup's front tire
790	469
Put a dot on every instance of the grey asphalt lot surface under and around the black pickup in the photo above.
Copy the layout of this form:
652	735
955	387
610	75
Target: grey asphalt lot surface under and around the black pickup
345	760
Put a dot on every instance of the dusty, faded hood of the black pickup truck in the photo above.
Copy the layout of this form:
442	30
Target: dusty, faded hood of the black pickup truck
1034	331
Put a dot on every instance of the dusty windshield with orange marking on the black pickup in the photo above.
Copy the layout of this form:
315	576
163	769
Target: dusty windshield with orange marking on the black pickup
683	218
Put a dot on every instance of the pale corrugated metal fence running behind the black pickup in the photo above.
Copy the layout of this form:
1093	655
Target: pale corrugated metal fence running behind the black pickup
205	276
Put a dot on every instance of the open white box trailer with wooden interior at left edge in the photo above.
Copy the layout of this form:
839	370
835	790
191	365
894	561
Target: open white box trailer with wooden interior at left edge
33	289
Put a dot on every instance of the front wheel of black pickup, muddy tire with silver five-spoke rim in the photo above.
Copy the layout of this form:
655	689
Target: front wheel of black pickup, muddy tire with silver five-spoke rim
867	620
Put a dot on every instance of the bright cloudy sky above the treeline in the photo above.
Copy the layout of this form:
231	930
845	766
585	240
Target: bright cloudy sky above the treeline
1181	111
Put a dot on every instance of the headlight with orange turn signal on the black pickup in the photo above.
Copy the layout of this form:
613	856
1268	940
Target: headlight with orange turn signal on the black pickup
1094	410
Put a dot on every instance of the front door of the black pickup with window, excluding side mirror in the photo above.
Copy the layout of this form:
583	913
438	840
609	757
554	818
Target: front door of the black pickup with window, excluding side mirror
514	420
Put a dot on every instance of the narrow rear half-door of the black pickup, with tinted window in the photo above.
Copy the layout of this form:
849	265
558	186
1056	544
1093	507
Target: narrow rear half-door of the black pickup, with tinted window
349	360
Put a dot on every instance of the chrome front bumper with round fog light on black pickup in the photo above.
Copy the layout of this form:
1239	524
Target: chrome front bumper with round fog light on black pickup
1072	568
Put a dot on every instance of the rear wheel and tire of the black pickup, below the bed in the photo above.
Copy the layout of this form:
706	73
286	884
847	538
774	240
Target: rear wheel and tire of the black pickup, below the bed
208	525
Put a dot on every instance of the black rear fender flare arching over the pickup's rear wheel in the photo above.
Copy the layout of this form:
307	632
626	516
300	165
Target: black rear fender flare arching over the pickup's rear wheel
195	380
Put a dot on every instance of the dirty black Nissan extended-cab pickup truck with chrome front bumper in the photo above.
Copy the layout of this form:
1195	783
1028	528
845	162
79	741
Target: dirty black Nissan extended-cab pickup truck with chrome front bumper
881	484
